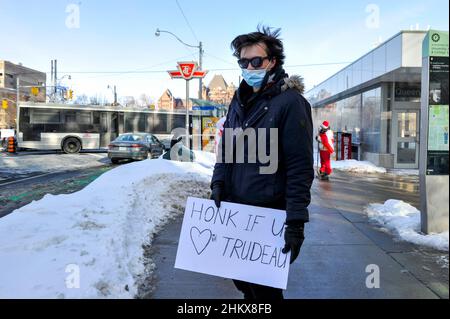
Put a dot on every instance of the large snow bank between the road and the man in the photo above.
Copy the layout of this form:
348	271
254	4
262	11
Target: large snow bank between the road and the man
97	233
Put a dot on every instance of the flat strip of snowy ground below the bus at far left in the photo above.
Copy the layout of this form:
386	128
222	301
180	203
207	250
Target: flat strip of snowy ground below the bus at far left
25	164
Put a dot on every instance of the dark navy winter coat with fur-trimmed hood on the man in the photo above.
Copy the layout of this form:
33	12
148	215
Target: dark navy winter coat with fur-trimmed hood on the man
280	105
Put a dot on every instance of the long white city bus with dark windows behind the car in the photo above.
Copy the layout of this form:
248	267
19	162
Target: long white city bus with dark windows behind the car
72	128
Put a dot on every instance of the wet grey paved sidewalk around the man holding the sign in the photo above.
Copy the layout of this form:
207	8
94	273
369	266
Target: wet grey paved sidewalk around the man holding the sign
340	243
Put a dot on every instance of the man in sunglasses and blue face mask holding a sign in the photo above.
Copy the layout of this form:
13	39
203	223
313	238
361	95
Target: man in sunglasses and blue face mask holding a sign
267	99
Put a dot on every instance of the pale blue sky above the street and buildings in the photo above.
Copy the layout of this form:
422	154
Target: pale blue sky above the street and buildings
119	36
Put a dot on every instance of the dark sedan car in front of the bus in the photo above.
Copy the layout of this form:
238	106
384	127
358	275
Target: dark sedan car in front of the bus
135	146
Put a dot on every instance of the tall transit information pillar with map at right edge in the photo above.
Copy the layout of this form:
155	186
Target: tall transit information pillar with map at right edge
434	142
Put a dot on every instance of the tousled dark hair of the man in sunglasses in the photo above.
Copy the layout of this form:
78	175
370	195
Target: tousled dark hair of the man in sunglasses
266	35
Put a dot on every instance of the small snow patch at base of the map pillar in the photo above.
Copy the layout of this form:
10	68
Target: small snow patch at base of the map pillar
404	220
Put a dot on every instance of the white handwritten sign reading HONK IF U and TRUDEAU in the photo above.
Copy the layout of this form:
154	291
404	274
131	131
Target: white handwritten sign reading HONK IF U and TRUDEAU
235	241
